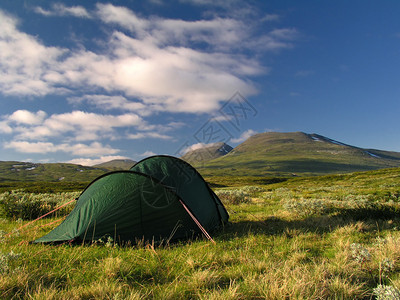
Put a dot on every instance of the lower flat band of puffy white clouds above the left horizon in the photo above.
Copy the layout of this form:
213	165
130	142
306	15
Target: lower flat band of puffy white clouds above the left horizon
80	126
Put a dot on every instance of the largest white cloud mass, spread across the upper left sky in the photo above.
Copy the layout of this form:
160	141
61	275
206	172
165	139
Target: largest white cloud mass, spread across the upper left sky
155	62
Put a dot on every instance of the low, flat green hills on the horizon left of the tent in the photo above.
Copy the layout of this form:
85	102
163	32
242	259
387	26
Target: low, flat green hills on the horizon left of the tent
51	172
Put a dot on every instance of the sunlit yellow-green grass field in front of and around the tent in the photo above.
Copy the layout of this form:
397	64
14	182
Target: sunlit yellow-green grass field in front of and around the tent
331	237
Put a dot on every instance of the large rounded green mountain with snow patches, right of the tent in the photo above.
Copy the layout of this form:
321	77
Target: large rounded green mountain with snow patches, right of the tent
297	153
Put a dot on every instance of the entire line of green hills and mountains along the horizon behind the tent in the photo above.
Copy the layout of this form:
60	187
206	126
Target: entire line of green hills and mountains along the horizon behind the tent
264	154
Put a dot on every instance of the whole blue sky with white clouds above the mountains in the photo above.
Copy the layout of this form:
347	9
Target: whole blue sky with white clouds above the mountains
87	82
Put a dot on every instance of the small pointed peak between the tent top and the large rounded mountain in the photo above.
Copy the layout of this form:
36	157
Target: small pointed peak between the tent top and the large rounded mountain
206	153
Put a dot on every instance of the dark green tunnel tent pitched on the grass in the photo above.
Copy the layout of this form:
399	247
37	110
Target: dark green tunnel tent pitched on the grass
159	198
